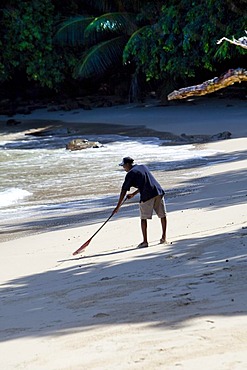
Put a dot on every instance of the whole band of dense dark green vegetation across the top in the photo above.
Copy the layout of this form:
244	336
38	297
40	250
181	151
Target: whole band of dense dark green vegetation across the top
56	45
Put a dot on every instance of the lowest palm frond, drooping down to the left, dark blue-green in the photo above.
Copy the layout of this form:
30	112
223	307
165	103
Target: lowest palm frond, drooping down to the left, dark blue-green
99	58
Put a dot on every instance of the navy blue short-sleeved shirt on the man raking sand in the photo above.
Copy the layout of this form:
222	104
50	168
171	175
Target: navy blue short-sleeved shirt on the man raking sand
141	178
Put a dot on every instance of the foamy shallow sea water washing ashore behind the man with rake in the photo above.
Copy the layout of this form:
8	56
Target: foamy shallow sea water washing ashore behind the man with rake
43	185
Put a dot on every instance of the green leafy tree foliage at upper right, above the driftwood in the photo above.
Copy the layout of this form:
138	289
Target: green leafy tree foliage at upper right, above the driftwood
183	41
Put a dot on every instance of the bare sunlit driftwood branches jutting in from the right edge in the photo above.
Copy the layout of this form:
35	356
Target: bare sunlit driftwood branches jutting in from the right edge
229	78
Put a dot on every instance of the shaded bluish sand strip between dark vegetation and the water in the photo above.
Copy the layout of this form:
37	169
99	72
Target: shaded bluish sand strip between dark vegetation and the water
193	117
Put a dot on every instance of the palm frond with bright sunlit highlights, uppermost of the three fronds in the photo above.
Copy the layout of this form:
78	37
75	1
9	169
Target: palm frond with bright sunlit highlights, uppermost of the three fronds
109	25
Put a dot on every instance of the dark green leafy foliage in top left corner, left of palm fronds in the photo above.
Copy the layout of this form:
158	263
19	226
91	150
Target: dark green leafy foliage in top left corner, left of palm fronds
27	43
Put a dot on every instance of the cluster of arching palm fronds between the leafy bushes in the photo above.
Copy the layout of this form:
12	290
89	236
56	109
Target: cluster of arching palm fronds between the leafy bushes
101	36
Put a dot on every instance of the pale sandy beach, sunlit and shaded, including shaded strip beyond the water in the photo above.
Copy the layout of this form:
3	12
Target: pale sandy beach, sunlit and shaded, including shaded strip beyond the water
177	306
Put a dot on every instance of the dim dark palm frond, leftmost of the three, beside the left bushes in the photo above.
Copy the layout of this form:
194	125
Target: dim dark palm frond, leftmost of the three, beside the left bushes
71	32
